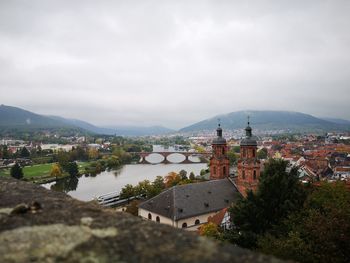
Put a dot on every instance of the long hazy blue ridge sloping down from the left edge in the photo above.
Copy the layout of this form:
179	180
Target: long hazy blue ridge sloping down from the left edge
16	118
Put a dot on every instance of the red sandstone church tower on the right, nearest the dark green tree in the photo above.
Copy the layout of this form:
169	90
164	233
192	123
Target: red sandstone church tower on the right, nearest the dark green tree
248	164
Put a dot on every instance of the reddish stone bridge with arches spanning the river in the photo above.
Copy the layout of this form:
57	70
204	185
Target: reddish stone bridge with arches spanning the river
187	156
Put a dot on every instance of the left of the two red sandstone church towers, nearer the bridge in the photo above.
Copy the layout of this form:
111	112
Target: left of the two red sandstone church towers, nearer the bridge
219	162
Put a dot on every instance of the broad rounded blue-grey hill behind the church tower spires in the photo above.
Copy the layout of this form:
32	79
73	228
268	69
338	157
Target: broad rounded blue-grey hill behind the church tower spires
268	120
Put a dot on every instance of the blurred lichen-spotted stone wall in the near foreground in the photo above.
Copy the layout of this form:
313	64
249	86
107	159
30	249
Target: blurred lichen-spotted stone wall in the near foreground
37	225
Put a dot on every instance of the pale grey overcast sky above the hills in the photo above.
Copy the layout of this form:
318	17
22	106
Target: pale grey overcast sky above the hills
173	63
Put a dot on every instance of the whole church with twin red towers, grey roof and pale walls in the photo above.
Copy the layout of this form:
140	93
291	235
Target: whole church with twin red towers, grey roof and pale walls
189	206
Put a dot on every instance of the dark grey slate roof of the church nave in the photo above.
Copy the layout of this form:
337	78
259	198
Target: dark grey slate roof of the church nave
185	201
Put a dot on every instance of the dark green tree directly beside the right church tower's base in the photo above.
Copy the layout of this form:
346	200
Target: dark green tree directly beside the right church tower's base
278	195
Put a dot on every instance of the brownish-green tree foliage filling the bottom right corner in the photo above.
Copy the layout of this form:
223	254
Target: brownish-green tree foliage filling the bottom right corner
317	233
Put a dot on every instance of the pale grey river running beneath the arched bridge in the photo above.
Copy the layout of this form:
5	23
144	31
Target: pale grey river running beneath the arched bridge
85	188
